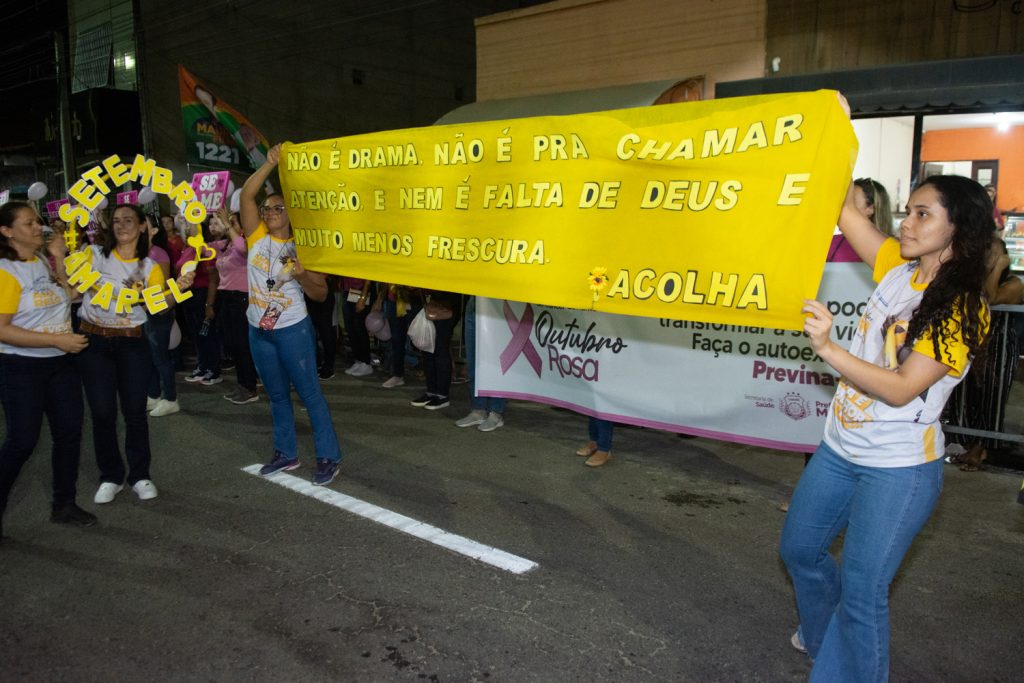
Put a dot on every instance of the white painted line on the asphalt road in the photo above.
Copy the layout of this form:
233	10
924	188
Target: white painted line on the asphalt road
439	537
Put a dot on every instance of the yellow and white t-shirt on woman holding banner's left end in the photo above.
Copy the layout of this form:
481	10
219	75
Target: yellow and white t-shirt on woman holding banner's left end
276	300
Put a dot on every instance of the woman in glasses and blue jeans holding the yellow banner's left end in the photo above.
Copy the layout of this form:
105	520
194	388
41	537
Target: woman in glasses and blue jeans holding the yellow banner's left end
281	335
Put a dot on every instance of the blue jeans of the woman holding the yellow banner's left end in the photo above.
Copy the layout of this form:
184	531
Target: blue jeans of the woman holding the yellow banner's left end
285	358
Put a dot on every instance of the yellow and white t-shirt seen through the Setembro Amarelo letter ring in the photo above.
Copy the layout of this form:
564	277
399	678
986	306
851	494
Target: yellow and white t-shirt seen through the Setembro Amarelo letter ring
137	274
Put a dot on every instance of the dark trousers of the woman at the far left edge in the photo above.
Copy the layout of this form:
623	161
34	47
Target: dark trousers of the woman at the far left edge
31	389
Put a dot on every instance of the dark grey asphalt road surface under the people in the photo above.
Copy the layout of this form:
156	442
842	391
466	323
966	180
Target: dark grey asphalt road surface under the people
660	567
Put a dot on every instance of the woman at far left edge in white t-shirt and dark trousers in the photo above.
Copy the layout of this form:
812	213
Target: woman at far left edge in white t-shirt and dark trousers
38	374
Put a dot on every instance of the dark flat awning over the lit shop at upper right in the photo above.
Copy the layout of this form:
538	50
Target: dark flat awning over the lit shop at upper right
982	84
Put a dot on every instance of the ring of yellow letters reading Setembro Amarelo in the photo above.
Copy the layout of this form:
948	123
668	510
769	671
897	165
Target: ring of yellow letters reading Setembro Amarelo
90	193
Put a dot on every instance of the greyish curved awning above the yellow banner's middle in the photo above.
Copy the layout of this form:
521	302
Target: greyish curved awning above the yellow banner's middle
559	104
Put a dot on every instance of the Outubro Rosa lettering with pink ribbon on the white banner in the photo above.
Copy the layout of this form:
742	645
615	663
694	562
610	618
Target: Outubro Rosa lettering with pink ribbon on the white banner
567	346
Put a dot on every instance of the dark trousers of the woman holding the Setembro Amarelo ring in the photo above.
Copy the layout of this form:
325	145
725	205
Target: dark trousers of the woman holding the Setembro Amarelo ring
117	369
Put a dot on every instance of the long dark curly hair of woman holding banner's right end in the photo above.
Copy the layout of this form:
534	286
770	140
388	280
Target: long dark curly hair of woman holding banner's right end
953	304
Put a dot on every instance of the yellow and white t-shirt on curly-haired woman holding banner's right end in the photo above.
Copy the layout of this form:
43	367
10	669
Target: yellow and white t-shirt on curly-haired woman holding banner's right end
867	431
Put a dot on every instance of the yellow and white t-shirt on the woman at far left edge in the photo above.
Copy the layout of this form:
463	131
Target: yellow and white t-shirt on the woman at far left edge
36	302
